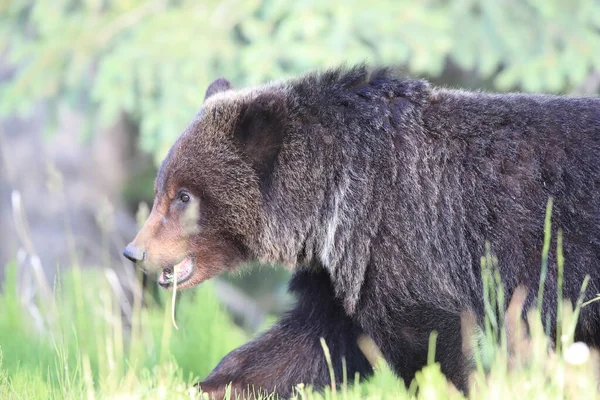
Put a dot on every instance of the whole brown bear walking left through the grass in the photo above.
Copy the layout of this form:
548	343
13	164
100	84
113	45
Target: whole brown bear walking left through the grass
379	192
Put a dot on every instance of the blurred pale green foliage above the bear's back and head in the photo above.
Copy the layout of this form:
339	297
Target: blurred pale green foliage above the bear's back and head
154	59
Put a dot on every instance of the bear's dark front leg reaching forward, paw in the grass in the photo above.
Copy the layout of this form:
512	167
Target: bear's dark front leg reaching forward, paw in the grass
290	352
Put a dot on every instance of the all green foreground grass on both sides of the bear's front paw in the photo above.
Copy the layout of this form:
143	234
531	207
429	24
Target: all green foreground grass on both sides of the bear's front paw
74	343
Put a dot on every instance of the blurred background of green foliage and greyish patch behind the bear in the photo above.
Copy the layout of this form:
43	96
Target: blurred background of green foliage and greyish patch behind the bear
94	92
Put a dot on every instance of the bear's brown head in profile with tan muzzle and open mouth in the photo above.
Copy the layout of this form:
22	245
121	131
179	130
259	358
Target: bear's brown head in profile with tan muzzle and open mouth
208	205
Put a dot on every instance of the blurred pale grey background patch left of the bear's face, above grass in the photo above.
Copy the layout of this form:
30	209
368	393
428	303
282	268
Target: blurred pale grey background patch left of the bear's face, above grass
70	191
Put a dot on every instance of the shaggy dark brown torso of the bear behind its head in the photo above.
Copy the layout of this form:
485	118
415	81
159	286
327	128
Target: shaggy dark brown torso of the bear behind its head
381	175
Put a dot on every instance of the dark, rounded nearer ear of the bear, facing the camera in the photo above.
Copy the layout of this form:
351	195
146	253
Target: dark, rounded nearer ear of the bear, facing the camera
260	131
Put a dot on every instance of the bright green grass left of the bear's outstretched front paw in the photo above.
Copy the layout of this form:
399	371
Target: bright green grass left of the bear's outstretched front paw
84	349
